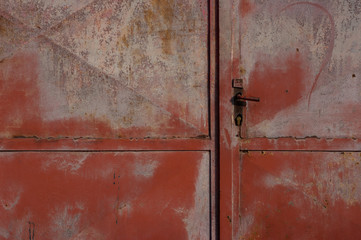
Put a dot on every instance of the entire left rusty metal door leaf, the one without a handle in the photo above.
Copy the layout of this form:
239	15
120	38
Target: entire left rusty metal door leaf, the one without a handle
107	119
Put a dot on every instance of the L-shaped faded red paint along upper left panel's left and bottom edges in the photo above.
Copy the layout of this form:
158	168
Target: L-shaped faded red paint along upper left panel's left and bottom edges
22	115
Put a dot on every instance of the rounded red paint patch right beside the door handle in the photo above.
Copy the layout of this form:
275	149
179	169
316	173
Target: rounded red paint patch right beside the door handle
279	83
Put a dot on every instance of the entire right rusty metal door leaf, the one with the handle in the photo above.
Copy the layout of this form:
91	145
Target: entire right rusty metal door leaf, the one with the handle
297	175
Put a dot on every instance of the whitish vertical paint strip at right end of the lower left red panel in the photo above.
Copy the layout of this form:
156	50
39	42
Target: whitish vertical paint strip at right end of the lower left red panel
198	218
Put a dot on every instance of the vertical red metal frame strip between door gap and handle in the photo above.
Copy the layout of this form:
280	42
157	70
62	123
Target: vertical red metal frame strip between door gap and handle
228	148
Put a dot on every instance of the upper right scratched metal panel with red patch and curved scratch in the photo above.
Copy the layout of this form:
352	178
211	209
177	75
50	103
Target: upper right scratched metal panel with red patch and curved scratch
303	60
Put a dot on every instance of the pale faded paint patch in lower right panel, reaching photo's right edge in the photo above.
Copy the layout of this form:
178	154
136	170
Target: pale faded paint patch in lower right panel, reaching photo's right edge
333	177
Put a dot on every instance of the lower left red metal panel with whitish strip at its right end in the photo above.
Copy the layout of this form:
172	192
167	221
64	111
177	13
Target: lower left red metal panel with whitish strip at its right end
104	196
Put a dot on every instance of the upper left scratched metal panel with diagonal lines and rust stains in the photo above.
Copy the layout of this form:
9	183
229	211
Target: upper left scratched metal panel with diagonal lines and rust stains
103	69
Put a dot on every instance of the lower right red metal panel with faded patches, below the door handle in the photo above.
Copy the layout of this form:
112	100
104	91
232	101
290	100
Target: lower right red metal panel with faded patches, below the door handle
294	195
